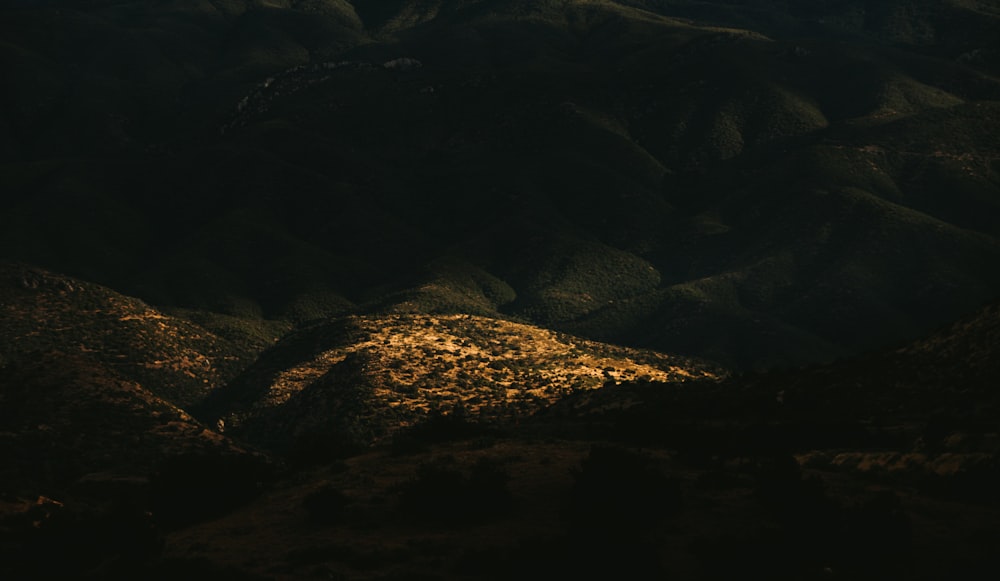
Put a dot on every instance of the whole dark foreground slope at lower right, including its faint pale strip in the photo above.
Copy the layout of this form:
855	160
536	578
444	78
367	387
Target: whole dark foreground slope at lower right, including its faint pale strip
877	467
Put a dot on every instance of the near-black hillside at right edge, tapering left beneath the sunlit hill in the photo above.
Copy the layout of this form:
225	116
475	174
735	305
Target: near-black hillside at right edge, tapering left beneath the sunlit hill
908	399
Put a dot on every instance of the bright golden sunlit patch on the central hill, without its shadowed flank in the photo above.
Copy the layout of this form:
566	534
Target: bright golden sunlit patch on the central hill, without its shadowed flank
419	363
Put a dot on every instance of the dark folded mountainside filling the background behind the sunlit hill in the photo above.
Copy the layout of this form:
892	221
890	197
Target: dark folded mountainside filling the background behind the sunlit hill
757	183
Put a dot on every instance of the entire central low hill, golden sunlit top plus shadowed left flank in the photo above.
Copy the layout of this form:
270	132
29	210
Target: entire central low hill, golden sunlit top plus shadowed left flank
358	380
